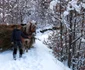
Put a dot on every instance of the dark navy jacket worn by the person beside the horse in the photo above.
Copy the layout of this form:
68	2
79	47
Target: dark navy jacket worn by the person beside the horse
17	34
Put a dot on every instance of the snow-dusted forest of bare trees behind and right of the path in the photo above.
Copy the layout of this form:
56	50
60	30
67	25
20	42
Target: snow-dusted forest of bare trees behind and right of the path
67	17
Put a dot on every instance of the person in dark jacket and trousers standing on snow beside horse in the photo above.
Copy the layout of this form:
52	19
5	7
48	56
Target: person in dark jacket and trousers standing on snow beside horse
16	40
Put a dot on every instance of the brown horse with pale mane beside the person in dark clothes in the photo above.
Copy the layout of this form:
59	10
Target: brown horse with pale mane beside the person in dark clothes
29	29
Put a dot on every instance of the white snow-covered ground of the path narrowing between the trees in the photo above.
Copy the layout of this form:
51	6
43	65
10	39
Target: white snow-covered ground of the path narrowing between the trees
37	58
